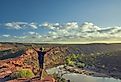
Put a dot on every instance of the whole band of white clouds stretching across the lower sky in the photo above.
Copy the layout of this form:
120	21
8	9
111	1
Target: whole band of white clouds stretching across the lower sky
71	31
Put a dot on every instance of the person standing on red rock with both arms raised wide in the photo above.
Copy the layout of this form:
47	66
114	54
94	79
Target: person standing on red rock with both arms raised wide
41	55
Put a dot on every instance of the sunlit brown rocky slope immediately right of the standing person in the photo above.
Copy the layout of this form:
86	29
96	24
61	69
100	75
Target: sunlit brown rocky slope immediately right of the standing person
55	57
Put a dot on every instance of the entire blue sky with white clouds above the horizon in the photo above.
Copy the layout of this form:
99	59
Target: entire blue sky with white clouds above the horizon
60	21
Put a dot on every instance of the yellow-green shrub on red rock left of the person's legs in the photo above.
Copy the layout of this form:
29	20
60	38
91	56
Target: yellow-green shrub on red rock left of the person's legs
22	73
